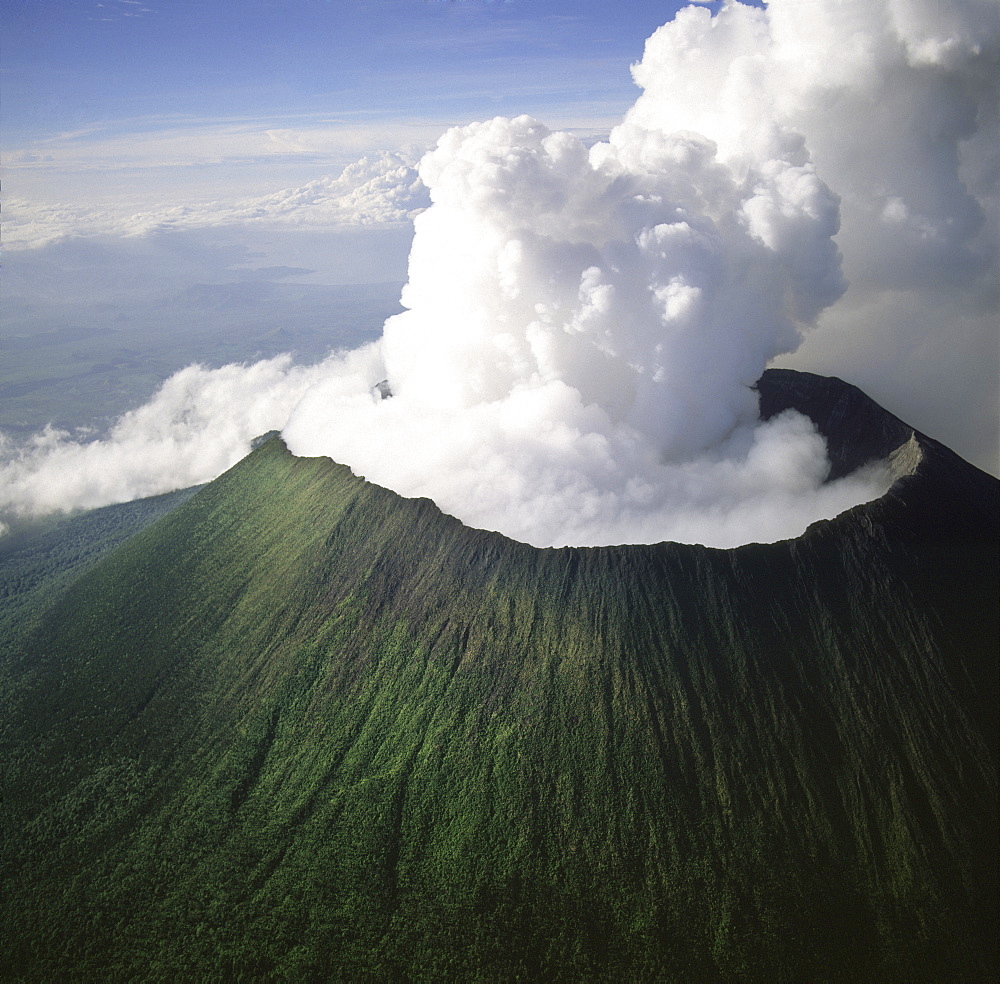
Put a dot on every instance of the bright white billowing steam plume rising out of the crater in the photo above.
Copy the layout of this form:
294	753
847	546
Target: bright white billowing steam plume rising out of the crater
584	326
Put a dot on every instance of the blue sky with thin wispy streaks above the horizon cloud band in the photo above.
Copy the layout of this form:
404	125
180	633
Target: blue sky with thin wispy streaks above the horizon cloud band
122	84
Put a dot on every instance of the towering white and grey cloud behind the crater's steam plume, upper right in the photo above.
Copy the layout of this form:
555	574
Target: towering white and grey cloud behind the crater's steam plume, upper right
896	106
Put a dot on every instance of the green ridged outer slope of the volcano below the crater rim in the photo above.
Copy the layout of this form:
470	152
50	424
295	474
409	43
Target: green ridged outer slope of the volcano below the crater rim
303	729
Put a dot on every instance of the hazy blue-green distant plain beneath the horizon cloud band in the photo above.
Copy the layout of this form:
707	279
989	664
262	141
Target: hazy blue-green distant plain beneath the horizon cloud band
90	333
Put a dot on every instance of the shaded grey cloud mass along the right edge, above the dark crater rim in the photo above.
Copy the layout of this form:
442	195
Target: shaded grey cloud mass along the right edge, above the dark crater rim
900	116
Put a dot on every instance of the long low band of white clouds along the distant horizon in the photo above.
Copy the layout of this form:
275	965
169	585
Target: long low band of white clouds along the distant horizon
375	190
